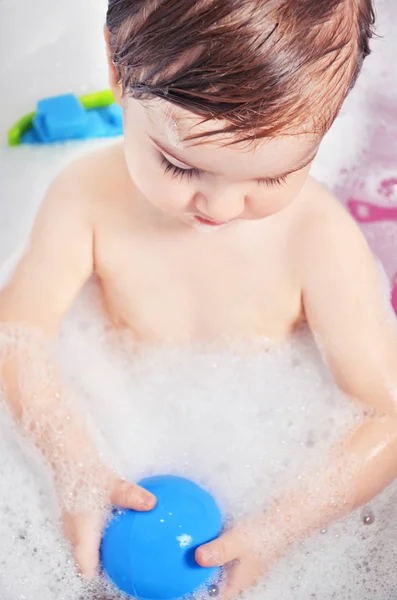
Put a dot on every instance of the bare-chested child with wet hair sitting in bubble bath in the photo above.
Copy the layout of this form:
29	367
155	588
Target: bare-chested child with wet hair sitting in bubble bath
205	225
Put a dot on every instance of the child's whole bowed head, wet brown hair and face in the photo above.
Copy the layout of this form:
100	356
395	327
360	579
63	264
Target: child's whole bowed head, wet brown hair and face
241	90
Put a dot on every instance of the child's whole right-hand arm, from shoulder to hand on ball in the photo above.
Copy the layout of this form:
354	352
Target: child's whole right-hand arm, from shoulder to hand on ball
352	321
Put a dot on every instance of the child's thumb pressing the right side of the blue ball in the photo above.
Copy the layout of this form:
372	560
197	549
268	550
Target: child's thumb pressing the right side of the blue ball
226	548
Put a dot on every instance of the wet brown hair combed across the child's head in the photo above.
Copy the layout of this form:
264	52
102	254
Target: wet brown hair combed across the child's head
264	66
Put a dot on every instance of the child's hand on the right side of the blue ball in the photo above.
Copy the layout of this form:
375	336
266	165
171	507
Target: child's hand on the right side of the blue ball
240	550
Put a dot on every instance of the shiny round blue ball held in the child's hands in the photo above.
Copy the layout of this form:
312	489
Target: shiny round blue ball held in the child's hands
150	555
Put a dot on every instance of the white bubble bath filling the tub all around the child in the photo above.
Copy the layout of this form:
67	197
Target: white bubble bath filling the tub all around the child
245	423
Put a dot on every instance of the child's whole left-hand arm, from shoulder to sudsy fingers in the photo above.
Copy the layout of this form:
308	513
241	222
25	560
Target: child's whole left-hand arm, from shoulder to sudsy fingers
58	262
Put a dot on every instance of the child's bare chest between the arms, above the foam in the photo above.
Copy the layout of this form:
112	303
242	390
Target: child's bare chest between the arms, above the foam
170	289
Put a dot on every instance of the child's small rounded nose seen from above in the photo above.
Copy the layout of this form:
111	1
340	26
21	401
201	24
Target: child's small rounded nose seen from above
221	205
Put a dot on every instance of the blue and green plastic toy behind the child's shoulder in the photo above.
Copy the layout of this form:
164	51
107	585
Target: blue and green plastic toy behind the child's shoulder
68	117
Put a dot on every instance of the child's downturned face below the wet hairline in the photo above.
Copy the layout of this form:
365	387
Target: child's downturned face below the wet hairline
226	183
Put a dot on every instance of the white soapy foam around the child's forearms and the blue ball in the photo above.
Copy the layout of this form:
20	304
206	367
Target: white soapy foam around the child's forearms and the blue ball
245	423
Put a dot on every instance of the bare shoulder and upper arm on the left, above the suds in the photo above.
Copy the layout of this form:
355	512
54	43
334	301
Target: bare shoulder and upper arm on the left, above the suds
59	257
